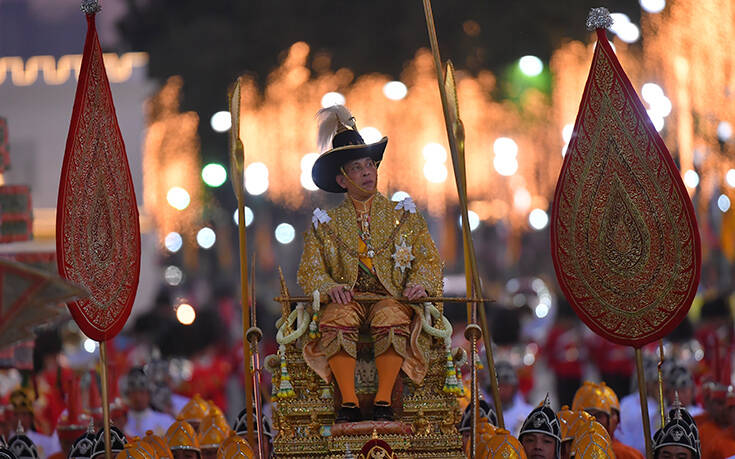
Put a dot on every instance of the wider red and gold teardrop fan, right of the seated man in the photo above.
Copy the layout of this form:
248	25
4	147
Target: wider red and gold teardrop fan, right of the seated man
624	236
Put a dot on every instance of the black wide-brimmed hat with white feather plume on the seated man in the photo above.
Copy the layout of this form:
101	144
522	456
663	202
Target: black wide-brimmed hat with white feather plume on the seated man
340	142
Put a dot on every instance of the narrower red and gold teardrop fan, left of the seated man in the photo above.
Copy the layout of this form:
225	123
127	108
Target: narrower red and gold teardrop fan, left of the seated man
97	229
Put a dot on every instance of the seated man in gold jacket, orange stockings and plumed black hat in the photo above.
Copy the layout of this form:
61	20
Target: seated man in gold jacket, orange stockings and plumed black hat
367	246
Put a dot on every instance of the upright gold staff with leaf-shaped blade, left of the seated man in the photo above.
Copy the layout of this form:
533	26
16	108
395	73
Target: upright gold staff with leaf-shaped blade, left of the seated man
237	158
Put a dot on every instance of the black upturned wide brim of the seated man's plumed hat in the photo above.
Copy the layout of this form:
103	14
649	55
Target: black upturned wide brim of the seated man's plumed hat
327	166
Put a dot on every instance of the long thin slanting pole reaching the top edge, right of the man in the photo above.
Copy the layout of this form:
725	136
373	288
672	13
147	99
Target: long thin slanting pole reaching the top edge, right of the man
460	178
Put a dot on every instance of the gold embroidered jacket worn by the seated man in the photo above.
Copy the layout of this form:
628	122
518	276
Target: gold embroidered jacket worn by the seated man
330	255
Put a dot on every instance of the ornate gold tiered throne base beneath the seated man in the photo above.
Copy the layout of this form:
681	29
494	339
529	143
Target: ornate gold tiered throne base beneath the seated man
304	422
